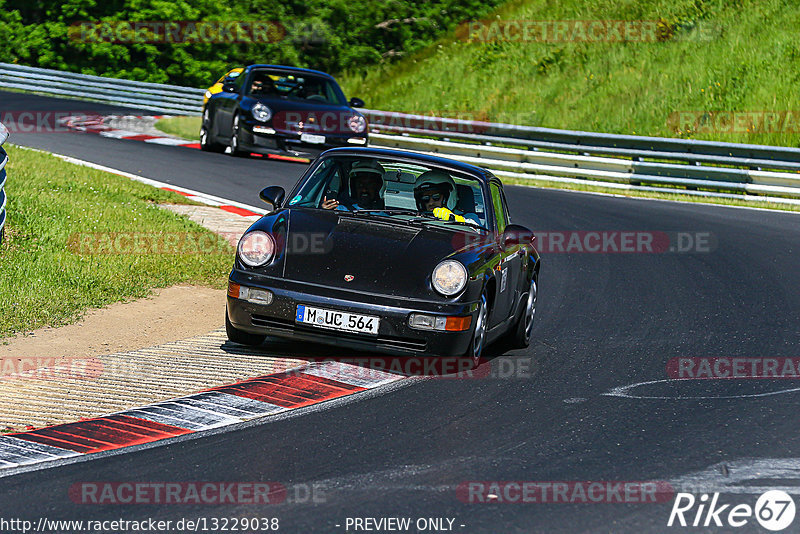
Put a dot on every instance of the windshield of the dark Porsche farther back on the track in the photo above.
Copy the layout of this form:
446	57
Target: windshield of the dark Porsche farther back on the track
270	83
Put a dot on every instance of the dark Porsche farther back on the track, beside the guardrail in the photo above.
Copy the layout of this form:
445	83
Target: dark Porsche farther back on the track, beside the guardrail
270	109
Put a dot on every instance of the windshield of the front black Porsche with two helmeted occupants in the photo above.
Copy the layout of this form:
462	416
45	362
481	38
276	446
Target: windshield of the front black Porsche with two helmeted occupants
394	188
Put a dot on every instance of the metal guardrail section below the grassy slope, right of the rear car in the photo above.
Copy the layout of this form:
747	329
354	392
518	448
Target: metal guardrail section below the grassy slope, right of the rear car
524	152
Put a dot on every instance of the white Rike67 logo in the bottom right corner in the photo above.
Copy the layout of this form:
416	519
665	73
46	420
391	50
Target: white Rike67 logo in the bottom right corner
774	510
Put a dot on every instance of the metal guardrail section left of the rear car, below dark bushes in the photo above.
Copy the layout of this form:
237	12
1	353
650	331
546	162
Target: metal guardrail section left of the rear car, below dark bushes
150	96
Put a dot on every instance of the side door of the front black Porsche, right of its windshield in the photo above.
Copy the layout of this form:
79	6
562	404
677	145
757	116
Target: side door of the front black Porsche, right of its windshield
508	267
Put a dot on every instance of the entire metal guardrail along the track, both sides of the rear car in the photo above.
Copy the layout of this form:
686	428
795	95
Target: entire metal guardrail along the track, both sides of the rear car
683	166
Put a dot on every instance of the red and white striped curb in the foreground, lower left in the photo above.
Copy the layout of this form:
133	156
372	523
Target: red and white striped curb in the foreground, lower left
214	408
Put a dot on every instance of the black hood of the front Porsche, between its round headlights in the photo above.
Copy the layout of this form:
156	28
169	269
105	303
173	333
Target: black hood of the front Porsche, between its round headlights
362	253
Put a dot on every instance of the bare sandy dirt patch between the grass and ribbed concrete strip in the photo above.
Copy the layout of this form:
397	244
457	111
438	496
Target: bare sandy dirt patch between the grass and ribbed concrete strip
173	313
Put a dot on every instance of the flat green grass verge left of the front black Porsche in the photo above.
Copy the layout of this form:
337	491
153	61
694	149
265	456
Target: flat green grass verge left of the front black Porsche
51	202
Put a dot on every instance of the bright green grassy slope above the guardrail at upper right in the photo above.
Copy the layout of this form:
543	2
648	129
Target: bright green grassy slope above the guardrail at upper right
722	55
